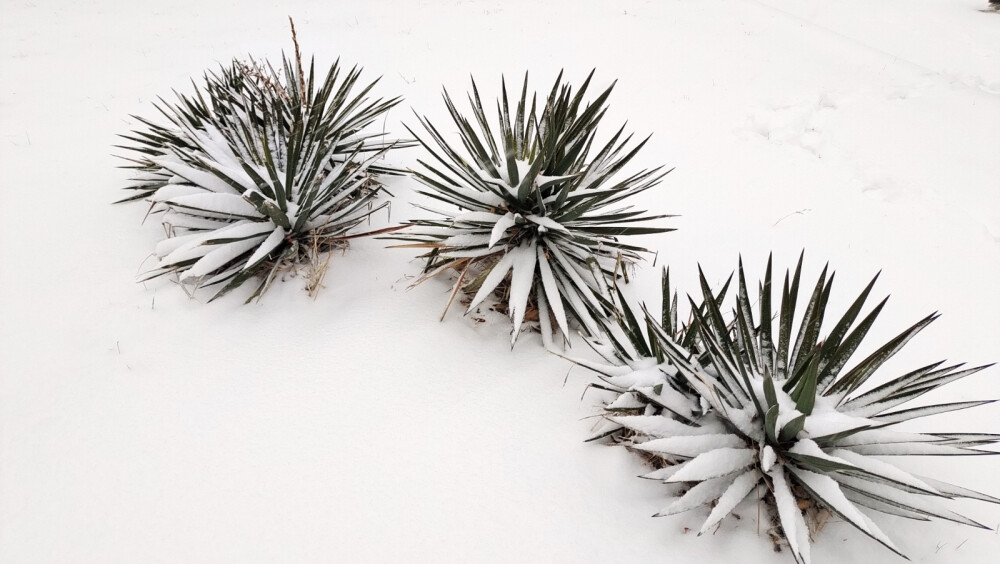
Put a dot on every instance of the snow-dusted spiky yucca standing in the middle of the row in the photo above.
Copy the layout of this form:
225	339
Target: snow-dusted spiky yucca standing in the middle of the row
532	212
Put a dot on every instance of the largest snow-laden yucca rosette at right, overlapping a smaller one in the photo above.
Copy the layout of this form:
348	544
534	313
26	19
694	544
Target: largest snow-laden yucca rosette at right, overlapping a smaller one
789	421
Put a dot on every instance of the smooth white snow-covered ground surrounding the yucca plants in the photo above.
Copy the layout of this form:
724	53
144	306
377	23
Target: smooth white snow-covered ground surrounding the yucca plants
137	425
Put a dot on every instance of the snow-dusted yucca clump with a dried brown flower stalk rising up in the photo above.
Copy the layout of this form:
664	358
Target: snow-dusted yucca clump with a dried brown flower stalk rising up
265	170
